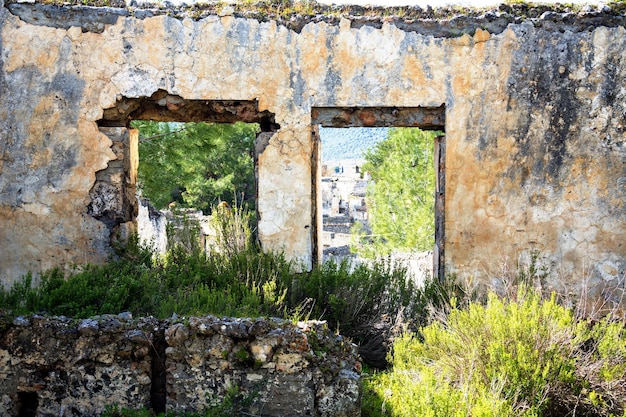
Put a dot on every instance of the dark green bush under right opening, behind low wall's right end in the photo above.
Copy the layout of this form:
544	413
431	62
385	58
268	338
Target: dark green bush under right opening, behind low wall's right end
369	303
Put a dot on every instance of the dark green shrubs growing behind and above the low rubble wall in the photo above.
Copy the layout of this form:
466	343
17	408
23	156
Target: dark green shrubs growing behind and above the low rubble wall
227	282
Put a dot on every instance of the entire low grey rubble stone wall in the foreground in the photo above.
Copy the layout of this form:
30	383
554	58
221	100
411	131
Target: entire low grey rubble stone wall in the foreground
63	367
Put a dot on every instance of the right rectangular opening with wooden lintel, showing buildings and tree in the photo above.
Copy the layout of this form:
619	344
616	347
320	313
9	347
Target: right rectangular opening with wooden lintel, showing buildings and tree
381	190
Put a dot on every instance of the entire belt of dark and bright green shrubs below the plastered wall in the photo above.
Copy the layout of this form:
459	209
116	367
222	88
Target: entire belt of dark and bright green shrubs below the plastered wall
521	355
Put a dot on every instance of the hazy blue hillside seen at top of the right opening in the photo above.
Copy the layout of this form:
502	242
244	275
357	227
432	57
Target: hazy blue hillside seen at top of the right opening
350	143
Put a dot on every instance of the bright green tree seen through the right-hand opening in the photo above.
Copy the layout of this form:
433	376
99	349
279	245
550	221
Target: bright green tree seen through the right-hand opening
401	194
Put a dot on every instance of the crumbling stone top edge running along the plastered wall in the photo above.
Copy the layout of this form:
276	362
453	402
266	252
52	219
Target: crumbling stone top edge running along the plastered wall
446	22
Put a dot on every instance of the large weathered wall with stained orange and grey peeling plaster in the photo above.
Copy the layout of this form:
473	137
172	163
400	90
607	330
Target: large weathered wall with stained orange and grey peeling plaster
534	120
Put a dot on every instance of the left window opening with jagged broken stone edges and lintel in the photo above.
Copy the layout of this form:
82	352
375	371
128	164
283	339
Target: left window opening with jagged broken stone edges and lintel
165	116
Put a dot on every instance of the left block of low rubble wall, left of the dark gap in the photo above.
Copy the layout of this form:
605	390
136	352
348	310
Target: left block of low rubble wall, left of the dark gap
74	367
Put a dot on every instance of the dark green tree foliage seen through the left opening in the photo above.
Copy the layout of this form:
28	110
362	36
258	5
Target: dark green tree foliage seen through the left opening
196	164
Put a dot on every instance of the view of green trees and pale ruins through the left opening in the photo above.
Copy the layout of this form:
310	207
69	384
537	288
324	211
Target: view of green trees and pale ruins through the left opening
193	172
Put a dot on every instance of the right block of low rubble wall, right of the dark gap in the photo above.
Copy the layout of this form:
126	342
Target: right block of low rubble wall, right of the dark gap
284	370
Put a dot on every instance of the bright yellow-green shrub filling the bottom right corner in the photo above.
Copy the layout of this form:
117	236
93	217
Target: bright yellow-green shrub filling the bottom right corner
522	357
